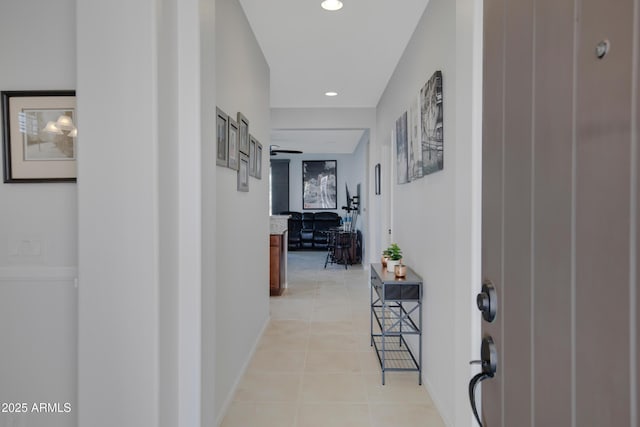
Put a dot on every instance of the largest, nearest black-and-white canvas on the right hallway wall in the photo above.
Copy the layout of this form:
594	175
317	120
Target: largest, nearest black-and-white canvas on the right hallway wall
432	131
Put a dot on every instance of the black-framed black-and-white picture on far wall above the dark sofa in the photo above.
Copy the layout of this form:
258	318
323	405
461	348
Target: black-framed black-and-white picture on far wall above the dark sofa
319	184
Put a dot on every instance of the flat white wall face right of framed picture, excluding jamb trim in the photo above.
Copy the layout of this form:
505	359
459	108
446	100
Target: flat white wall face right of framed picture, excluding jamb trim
118	217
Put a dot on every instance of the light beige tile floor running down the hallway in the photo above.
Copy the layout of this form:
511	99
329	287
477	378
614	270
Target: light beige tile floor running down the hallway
314	366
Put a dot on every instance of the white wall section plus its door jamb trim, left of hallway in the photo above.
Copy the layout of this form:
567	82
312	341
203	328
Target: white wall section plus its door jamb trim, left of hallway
139	201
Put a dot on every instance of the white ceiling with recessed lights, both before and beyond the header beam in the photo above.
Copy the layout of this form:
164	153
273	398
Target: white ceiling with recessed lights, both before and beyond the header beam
310	51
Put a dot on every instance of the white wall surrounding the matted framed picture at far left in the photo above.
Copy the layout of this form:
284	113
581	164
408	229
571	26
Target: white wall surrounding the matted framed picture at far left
38	299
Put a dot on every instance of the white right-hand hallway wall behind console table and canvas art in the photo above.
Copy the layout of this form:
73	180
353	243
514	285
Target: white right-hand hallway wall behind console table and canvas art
436	219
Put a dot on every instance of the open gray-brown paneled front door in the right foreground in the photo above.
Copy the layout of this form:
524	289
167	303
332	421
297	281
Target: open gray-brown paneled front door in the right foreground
560	210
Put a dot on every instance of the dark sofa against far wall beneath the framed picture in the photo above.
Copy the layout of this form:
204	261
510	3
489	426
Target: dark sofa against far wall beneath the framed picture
309	230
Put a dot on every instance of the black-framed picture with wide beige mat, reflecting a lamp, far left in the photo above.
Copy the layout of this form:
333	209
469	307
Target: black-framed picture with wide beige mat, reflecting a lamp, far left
37	147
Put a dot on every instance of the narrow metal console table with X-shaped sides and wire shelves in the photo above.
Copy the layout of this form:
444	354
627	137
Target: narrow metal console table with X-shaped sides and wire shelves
393	300
